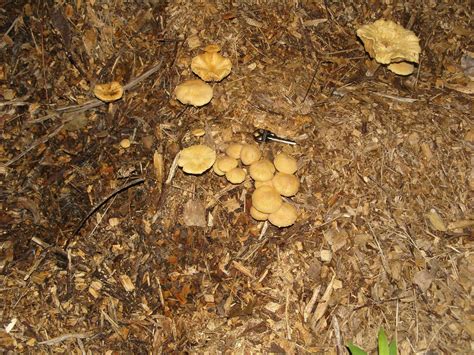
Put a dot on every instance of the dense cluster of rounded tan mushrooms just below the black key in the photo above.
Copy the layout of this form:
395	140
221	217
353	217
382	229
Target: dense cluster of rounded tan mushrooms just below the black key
273	181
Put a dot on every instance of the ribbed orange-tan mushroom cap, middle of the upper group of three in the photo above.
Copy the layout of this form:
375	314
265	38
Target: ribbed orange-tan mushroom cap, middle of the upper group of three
211	66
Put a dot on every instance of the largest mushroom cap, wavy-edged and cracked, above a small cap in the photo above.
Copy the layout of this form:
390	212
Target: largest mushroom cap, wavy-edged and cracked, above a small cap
388	42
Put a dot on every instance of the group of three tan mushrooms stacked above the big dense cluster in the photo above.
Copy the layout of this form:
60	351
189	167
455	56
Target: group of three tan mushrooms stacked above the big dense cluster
209	66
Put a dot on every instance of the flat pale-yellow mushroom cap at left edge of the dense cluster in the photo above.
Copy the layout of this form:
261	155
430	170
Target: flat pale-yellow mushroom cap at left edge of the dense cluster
196	159
